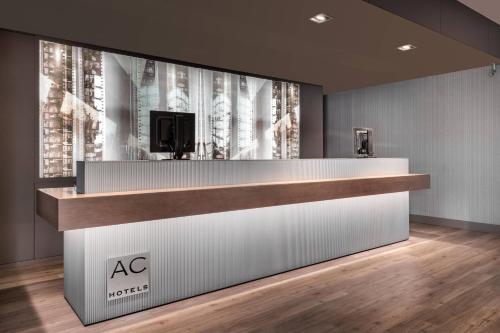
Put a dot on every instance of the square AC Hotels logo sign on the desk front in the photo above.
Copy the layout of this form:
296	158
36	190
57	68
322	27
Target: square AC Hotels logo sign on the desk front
127	275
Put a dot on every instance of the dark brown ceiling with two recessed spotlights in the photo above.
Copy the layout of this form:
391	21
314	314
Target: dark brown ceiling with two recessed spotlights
267	37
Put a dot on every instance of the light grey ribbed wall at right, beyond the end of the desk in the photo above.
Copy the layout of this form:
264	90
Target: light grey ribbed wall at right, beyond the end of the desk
447	125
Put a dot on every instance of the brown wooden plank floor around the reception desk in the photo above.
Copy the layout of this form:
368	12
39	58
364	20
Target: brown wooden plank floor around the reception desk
441	280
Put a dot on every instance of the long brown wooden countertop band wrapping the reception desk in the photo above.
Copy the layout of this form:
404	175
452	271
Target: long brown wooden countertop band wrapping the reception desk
67	210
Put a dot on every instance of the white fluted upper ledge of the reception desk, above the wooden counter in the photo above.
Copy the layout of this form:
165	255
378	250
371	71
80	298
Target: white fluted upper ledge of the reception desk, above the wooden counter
114	176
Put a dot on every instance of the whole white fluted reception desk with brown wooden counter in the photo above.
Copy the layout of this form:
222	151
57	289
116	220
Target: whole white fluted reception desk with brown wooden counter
140	234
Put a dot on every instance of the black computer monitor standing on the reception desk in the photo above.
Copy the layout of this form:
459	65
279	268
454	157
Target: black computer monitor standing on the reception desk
172	132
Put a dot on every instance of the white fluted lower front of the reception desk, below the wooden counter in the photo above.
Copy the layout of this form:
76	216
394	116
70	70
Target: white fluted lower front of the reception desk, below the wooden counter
197	254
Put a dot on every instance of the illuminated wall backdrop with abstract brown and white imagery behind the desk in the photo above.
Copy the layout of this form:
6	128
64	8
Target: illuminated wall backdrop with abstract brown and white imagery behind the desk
95	105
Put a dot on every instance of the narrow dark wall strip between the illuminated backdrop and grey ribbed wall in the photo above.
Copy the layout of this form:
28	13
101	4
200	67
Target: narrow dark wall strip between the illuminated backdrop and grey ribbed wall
311	121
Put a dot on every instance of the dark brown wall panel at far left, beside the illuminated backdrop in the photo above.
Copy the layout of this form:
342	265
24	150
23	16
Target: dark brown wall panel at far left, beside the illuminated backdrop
17	166
